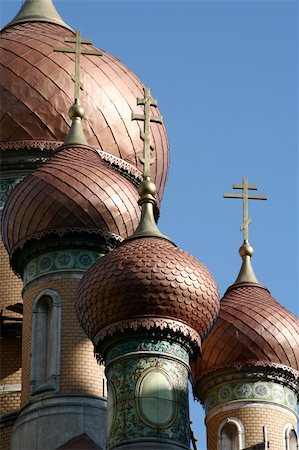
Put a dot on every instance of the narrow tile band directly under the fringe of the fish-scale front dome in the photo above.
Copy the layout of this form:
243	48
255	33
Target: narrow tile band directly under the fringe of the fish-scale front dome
148	345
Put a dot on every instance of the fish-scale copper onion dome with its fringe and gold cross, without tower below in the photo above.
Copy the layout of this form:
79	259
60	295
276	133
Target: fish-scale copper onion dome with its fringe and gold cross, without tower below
147	282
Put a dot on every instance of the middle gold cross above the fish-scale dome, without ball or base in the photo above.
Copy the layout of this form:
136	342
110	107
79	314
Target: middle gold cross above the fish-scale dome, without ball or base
146	159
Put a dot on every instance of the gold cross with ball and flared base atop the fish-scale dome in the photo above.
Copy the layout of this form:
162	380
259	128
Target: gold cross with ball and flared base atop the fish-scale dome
147	189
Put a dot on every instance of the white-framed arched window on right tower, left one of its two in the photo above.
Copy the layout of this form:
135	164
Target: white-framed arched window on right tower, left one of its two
231	435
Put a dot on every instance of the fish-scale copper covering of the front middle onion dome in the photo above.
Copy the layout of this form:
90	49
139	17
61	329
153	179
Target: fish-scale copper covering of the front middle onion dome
147	277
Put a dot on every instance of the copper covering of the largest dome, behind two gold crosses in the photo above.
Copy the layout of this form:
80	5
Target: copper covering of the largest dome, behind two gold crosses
36	92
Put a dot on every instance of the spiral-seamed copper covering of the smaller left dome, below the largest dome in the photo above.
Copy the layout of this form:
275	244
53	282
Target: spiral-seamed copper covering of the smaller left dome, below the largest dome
75	189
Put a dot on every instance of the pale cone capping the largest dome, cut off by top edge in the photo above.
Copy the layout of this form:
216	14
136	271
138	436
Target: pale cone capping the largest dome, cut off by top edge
38	11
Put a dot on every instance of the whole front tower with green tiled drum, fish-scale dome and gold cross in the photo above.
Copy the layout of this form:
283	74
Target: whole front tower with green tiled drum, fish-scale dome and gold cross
146	307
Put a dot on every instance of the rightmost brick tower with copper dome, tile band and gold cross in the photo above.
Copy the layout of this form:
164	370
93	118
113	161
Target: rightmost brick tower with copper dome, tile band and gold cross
248	375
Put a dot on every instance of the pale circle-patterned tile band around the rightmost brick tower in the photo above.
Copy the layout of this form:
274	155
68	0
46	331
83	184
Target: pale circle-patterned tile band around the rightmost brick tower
261	391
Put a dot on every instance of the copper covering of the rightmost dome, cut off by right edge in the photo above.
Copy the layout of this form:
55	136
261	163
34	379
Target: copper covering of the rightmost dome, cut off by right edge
252	328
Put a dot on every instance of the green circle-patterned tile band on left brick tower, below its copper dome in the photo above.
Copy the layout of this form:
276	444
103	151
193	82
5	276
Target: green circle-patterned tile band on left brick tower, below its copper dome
57	261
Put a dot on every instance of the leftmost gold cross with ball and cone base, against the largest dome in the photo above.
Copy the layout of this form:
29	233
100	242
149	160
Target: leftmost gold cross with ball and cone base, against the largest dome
76	112
